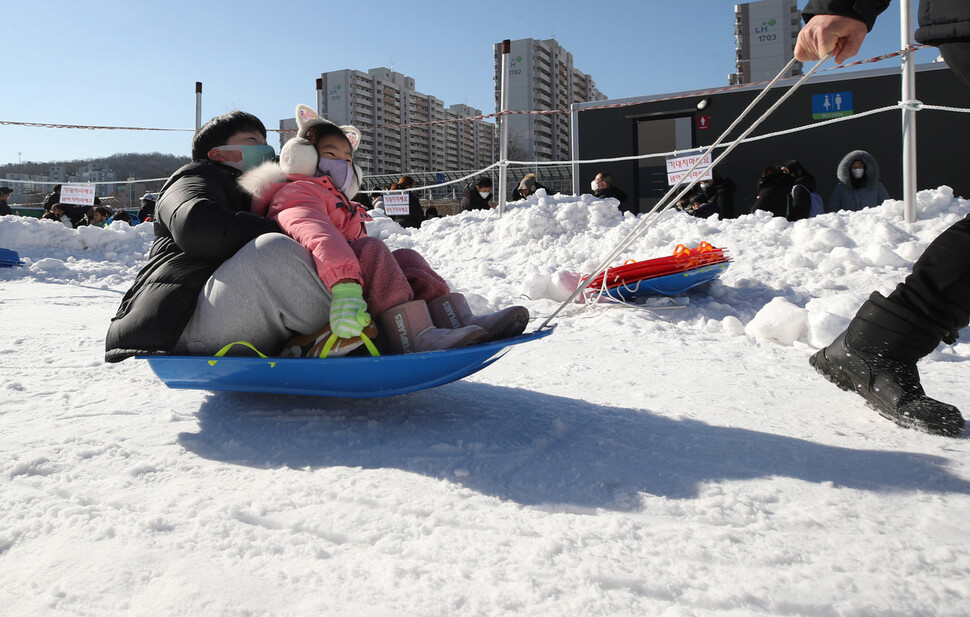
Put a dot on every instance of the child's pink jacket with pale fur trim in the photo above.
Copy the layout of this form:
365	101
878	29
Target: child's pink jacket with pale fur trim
313	212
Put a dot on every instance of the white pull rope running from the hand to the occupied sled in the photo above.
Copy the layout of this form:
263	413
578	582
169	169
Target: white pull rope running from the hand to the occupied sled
650	218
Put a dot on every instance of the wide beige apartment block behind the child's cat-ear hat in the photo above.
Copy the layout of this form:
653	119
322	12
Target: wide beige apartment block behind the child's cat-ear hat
403	130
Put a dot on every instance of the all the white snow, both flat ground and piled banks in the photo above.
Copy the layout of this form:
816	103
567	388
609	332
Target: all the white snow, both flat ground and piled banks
635	462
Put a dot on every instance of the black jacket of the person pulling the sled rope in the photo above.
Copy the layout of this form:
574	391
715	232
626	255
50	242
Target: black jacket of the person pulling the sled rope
940	21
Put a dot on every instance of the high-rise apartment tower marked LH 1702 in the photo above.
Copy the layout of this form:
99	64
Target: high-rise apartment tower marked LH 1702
541	76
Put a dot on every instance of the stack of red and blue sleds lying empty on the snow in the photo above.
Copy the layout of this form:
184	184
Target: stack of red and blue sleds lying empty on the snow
664	276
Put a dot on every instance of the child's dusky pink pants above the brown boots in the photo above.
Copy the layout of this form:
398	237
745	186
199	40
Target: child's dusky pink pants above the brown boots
394	278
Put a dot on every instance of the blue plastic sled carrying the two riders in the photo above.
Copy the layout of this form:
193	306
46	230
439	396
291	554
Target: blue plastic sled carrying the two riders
347	377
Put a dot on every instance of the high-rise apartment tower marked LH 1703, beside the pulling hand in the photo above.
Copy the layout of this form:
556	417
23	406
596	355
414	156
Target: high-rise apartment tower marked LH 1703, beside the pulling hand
765	33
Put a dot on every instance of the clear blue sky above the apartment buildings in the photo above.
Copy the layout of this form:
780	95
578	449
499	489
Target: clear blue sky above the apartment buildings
135	63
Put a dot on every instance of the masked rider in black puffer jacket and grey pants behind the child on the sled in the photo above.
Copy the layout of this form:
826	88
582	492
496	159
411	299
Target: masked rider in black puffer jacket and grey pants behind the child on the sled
202	223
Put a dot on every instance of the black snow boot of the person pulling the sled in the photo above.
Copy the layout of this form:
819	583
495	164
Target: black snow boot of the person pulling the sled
876	357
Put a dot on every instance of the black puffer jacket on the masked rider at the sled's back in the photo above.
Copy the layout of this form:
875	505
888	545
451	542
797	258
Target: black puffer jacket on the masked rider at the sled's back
202	218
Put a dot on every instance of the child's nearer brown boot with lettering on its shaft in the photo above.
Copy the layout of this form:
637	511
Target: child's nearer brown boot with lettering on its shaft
409	329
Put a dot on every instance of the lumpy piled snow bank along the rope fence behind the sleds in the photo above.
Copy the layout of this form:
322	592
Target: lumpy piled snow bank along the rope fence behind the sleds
788	283
